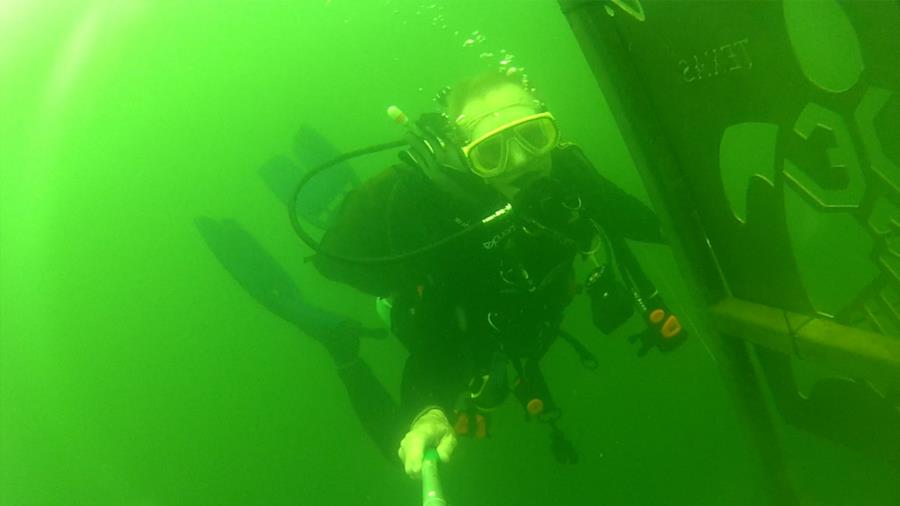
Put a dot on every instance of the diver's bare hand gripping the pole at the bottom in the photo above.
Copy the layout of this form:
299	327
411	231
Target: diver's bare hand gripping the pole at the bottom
431	429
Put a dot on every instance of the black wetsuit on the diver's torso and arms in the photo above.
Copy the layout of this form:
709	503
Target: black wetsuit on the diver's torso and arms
501	288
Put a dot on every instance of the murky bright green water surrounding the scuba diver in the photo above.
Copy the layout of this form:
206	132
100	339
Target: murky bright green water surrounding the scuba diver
134	370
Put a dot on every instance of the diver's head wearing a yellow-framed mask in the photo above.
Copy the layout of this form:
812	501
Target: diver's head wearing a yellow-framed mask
507	135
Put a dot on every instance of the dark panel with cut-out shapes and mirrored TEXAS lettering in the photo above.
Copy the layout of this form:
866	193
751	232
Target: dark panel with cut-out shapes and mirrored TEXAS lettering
766	135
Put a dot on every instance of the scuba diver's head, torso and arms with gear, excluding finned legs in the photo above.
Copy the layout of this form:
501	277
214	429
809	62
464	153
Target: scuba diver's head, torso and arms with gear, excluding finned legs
469	244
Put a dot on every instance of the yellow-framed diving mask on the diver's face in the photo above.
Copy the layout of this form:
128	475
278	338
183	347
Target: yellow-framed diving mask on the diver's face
488	155
